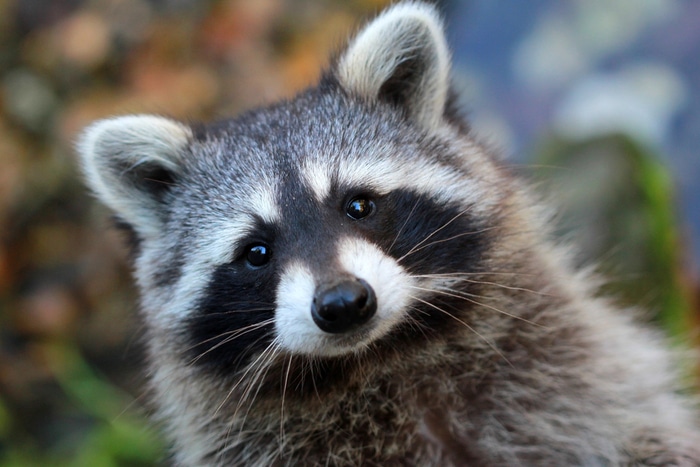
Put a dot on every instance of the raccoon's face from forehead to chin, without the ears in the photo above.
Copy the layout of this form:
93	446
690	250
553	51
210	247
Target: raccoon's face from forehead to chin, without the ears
329	247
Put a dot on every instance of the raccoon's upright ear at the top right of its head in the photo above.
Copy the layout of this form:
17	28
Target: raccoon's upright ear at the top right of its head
401	57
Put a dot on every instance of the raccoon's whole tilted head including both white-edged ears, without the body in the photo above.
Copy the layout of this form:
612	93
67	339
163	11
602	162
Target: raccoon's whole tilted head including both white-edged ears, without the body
320	226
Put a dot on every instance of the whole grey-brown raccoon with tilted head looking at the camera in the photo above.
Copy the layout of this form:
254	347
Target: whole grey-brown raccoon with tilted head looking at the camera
350	278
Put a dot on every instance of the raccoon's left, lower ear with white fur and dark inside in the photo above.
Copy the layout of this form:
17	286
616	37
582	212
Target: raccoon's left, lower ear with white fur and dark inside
130	162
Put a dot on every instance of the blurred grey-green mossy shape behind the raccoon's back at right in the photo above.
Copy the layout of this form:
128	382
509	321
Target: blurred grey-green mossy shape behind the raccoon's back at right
617	201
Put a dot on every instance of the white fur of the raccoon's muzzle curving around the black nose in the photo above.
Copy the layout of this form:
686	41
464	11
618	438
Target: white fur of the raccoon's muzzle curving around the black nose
294	326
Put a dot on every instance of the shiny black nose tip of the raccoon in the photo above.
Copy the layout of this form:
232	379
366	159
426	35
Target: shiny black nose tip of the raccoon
343	306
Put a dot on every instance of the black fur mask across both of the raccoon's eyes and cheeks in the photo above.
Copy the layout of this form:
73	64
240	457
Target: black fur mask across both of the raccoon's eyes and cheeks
235	319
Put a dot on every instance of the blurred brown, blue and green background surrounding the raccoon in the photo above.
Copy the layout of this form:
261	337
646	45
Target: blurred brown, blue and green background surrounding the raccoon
597	101
